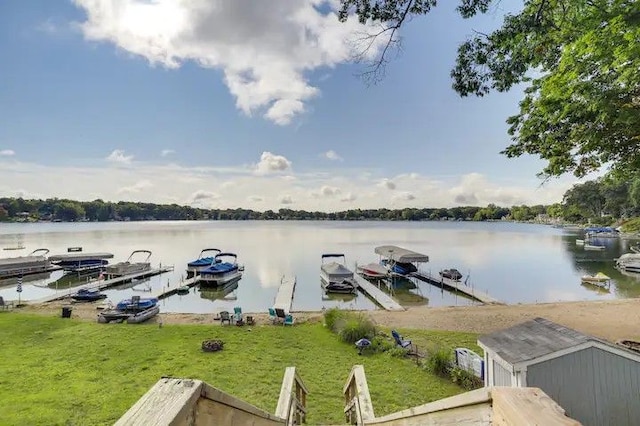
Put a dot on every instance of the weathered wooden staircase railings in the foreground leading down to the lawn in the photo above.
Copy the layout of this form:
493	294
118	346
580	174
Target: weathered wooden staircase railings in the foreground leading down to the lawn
182	402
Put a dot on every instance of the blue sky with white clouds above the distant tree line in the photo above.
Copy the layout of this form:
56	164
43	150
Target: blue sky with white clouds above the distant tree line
232	106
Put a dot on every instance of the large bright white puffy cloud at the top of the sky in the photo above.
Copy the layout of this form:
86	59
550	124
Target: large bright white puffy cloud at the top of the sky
263	48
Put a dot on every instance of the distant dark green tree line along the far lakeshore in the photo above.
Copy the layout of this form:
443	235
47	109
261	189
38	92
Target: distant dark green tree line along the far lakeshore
601	201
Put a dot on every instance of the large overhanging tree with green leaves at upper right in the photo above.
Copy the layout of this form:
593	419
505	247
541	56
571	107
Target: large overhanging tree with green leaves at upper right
579	60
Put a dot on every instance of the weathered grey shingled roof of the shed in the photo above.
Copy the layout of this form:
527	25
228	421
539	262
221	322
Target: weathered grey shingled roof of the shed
533	339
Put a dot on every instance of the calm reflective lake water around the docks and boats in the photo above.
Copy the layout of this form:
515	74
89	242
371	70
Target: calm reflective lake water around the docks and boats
515	263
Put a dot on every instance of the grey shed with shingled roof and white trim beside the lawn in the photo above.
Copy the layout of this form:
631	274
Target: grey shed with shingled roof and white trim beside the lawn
596	382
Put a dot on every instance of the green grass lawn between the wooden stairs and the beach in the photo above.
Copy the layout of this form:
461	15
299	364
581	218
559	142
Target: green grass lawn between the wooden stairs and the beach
56	371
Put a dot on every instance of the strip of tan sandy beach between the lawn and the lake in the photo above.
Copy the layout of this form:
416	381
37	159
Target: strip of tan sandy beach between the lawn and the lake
611	320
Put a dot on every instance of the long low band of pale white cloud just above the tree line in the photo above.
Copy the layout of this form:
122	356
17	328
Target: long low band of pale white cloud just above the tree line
206	185
